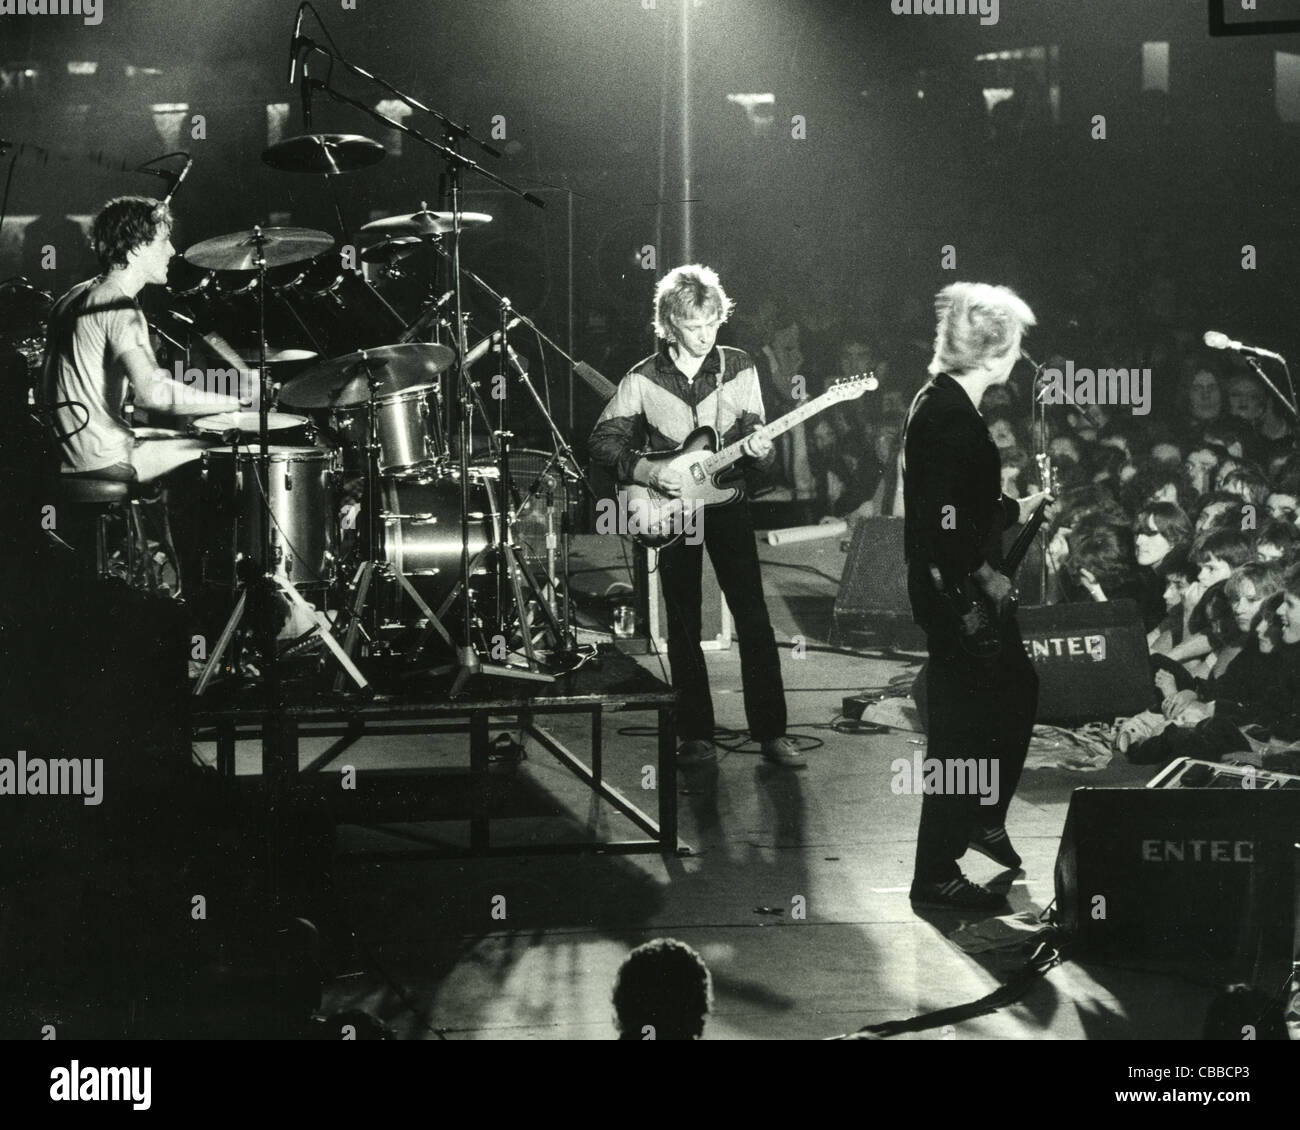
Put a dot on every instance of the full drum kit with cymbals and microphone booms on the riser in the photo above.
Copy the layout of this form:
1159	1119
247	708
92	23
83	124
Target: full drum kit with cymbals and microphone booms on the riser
370	493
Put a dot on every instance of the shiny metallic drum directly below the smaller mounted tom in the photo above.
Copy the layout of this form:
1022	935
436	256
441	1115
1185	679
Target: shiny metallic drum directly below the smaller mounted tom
421	531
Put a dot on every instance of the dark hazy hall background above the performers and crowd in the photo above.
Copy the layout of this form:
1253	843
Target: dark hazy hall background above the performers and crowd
903	154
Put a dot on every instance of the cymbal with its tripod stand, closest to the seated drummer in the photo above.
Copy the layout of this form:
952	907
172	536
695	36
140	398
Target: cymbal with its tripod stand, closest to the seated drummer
283	246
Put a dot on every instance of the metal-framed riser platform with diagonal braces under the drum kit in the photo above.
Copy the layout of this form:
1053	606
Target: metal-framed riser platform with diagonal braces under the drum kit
618	685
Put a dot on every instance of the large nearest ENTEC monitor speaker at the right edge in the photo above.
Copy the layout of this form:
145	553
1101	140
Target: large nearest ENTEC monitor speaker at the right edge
1188	876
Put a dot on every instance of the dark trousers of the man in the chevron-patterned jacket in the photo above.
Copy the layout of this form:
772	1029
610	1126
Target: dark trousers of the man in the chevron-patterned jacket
730	538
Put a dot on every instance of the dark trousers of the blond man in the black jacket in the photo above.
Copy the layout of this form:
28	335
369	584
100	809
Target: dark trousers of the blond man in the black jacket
976	709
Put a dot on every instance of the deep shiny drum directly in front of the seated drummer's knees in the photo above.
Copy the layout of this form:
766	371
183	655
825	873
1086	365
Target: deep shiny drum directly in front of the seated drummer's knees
302	499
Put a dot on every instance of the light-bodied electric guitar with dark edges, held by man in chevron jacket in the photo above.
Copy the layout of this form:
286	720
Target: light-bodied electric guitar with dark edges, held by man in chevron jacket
656	519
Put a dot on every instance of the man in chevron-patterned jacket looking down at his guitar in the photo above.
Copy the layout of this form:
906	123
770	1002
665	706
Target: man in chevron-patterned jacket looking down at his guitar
688	383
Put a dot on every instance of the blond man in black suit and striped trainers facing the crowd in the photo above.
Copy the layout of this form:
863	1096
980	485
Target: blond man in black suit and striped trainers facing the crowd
955	517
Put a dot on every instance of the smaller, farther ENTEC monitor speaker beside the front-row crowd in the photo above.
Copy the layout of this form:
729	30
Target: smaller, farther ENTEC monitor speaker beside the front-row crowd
1091	660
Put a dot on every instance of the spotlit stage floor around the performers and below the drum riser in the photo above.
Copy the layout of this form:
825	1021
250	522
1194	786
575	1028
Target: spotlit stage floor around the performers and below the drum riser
761	838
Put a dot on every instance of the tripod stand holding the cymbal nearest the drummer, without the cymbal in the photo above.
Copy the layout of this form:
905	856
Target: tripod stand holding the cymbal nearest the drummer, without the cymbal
270	578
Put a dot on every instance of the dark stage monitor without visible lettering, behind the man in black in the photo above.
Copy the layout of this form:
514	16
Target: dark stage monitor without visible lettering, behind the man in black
873	598
